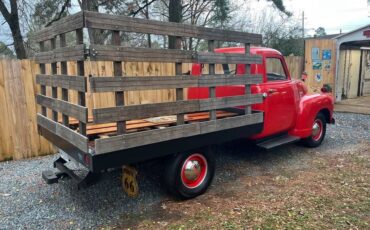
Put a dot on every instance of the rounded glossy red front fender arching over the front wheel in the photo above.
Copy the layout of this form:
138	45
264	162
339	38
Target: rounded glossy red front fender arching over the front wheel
309	107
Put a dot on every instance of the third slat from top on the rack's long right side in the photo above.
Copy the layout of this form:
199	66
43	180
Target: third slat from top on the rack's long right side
112	84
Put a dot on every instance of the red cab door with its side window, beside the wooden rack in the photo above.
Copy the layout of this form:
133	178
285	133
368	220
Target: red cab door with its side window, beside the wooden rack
279	100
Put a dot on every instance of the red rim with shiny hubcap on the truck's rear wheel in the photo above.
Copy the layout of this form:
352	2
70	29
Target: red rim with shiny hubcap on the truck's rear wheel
194	170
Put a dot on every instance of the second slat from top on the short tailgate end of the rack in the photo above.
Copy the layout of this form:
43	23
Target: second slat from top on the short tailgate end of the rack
74	53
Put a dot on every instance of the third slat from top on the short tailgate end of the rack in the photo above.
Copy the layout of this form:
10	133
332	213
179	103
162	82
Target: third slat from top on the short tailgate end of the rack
77	83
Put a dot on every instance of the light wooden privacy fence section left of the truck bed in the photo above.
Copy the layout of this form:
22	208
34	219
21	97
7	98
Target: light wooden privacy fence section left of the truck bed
18	129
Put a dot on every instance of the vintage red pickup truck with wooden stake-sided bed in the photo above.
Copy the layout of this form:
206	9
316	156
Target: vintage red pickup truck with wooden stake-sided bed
251	97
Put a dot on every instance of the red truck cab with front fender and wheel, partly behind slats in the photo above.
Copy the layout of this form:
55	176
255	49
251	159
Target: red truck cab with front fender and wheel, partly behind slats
289	110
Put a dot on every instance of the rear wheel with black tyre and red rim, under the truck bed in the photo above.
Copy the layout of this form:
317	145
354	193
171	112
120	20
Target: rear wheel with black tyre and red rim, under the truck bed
189	174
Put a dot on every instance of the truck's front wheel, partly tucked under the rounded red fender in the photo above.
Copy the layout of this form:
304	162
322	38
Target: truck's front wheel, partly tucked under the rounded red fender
318	132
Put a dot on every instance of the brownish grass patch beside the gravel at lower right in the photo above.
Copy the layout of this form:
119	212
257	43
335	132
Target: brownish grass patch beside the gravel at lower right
334	193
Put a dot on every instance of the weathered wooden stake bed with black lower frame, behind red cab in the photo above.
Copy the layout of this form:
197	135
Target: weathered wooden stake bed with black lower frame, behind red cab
124	134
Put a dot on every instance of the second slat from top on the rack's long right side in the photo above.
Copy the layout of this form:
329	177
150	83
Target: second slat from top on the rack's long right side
119	53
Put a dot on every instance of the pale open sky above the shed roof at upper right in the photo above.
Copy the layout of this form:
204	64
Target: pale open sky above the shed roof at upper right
333	15
